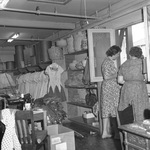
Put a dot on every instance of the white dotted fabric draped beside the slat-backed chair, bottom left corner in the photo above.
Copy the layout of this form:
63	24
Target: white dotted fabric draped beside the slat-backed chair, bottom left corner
10	140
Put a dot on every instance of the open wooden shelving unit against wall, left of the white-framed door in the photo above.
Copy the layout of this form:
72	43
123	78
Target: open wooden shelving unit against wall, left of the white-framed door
76	99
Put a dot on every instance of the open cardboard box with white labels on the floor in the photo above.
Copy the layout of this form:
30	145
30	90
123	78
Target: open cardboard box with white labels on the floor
60	138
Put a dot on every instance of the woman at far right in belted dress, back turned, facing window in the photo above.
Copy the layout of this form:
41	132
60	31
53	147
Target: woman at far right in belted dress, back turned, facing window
134	87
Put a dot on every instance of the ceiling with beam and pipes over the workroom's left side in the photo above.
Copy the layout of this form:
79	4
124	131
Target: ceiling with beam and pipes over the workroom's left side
36	21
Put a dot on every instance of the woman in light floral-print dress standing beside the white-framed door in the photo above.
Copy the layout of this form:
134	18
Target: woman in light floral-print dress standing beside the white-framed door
110	89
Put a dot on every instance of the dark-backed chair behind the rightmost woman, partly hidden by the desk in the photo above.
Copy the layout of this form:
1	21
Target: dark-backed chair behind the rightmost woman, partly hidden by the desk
125	117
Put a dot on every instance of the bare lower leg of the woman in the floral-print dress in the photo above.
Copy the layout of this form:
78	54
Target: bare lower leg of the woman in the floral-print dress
106	128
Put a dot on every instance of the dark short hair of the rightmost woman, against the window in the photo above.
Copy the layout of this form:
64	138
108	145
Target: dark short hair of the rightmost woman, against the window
135	51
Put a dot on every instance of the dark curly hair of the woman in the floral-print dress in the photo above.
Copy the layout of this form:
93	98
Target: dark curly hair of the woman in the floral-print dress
113	50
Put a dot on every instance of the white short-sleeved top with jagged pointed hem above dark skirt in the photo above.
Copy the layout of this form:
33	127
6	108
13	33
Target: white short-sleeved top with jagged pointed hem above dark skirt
54	72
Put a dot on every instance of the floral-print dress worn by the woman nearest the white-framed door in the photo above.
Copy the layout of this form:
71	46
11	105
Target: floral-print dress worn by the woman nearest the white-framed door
110	90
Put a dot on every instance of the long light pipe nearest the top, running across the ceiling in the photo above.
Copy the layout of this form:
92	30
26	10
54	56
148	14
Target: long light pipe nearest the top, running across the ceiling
38	12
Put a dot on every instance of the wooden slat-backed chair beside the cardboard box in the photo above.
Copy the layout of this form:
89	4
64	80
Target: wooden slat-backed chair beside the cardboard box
30	139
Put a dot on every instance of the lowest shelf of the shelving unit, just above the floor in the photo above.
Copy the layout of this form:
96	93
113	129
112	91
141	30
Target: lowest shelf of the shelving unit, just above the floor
79	121
